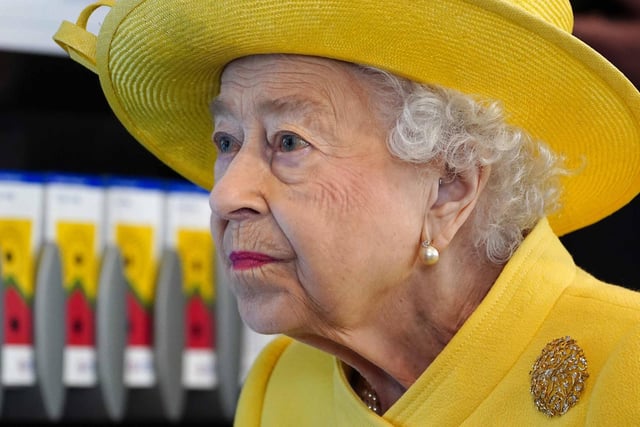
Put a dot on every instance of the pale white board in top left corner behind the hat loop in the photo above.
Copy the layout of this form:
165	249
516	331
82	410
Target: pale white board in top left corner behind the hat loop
29	25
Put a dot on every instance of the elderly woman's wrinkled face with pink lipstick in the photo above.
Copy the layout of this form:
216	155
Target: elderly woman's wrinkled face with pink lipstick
315	222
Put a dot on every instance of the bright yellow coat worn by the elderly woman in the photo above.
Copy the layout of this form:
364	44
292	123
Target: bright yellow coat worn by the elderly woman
483	376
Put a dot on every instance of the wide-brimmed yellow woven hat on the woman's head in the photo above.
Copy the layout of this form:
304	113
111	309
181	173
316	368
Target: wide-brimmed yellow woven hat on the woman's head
159	64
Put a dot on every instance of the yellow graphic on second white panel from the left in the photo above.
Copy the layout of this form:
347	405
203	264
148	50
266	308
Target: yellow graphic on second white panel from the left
77	242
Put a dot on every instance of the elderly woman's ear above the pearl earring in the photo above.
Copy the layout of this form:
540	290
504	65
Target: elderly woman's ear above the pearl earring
457	197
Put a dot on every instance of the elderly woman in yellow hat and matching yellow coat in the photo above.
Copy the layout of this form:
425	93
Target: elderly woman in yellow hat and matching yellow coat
391	179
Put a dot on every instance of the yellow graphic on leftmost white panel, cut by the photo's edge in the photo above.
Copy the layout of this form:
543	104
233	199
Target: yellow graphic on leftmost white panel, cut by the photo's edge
18	263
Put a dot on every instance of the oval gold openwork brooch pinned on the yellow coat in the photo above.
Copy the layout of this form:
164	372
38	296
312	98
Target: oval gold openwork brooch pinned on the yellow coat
558	376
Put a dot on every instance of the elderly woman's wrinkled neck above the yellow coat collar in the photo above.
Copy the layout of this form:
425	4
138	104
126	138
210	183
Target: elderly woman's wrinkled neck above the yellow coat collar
410	328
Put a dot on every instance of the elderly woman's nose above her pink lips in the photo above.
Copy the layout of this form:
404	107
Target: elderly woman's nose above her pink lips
238	192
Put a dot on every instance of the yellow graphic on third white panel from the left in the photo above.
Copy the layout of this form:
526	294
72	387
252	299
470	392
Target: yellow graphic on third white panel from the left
136	244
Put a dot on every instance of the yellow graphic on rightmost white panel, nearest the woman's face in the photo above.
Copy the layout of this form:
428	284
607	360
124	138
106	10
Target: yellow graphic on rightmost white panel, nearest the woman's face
195	248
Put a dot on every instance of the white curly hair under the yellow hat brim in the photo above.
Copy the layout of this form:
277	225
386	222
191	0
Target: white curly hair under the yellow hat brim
435	124
